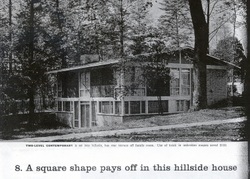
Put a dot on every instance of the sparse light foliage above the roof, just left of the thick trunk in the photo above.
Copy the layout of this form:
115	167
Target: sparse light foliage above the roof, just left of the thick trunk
177	19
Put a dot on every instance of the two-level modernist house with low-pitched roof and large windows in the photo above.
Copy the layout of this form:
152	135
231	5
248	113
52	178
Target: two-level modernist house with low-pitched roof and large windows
95	93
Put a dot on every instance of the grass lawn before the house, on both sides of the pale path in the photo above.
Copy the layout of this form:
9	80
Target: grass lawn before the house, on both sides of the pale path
193	133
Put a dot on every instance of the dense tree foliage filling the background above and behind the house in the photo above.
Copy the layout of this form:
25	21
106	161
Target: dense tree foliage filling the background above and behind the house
58	32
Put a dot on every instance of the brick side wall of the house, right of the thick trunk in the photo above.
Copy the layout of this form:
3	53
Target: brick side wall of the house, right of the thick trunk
216	85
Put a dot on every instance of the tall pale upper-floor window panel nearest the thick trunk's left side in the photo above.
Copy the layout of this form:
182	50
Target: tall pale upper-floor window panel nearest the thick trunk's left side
185	81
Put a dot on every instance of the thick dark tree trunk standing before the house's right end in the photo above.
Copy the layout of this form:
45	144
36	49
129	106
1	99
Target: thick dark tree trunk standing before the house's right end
200	55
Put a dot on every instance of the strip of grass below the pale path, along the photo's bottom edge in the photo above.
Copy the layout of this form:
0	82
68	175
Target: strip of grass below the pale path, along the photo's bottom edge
212	133
